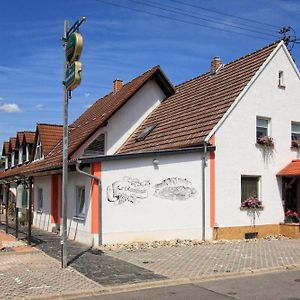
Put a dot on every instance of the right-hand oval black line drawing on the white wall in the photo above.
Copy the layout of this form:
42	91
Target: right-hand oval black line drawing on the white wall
175	188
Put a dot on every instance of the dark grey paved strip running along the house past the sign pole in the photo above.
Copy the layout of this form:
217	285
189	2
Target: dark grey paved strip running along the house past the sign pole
96	265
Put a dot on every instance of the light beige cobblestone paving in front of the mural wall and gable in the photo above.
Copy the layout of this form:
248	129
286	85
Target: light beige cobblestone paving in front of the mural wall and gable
214	259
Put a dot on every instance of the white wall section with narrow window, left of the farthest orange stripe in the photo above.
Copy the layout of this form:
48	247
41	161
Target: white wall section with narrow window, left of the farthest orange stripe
42	219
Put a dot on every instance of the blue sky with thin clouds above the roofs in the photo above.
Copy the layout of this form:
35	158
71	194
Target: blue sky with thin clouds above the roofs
182	36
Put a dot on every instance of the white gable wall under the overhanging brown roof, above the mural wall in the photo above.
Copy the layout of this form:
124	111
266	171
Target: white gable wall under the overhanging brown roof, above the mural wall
122	124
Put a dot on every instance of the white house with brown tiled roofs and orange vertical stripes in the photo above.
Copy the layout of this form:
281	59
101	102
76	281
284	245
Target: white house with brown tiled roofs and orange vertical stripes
214	157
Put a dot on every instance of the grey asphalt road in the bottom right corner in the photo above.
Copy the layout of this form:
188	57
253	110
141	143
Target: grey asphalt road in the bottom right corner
280	285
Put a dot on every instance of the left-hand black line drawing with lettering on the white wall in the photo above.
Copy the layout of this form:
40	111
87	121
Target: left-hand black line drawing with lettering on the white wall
128	189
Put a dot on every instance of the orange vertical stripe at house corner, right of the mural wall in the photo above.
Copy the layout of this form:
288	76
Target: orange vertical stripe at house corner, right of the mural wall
212	178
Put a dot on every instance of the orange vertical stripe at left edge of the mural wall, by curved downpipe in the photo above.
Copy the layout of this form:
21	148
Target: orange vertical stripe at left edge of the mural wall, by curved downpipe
96	170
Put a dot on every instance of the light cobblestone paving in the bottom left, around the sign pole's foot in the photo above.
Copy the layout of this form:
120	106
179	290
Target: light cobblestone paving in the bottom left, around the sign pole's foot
37	275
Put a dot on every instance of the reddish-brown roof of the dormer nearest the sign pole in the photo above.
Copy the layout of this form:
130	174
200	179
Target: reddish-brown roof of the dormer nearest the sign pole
50	135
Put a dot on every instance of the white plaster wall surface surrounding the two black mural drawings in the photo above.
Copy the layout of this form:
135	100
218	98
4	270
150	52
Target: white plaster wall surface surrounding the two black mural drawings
152	218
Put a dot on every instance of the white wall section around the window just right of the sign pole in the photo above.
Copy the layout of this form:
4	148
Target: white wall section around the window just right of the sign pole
79	230
